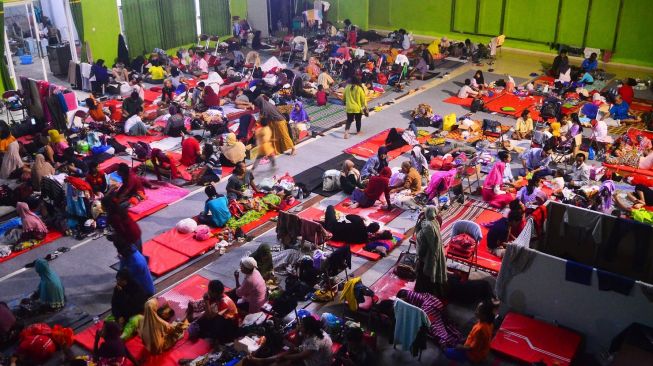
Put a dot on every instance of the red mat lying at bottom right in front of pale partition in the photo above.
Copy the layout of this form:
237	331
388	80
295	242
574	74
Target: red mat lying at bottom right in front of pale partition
529	340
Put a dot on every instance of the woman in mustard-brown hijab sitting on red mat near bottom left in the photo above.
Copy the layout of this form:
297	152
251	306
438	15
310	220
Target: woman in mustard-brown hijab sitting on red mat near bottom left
157	334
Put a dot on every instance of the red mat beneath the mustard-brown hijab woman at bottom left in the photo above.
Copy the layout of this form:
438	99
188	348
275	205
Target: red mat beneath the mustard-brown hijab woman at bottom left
183	349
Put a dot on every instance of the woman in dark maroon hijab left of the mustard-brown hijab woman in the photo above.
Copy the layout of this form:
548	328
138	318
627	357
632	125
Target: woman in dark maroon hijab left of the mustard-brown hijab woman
112	351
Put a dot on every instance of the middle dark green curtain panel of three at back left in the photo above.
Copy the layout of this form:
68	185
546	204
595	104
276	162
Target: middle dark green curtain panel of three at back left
178	23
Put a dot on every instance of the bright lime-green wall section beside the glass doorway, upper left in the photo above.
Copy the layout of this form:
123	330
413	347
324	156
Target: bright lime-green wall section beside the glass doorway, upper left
101	28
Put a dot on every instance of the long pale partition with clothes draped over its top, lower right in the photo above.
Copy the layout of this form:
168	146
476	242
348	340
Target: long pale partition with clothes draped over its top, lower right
542	291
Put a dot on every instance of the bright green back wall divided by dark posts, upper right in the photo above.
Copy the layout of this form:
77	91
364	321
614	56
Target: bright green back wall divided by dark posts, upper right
528	24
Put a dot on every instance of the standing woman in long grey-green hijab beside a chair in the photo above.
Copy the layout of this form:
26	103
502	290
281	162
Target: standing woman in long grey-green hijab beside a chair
431	262
